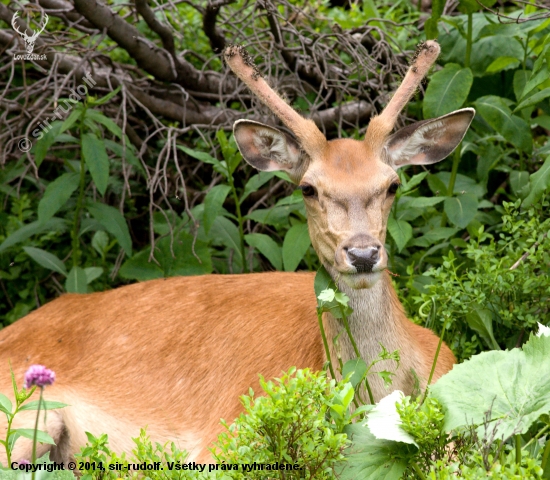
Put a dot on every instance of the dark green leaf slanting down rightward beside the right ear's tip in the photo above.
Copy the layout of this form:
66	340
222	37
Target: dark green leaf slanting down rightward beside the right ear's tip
499	116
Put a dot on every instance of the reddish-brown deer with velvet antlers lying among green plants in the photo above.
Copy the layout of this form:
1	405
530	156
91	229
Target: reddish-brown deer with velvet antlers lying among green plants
175	354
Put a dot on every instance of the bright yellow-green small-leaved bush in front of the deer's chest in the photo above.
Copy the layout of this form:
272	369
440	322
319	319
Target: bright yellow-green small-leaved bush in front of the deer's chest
291	425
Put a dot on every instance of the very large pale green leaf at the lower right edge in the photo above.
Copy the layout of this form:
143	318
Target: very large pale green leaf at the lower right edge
512	385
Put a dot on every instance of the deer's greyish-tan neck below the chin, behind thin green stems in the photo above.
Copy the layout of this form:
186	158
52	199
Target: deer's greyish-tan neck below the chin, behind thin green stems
377	319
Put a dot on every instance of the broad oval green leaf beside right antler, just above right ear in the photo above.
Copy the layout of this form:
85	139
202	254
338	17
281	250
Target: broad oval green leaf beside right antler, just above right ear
447	90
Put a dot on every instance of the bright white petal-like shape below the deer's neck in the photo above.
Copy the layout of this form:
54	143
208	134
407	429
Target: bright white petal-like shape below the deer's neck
384	421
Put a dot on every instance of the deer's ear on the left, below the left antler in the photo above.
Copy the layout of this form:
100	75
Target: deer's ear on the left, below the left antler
269	149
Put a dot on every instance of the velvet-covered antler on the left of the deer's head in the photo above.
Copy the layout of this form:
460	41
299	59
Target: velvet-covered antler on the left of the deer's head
311	138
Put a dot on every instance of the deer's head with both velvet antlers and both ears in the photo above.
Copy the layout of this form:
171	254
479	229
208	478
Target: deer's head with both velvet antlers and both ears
348	185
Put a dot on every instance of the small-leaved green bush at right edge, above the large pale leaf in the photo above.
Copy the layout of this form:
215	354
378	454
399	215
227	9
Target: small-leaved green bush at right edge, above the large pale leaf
500	289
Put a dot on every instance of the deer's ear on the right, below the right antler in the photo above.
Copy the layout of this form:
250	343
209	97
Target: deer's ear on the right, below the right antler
428	141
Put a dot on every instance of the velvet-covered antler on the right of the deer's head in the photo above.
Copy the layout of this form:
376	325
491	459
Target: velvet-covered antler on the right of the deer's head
382	125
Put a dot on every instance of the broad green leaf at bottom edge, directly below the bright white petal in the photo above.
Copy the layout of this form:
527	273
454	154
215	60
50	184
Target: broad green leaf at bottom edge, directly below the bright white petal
371	458
